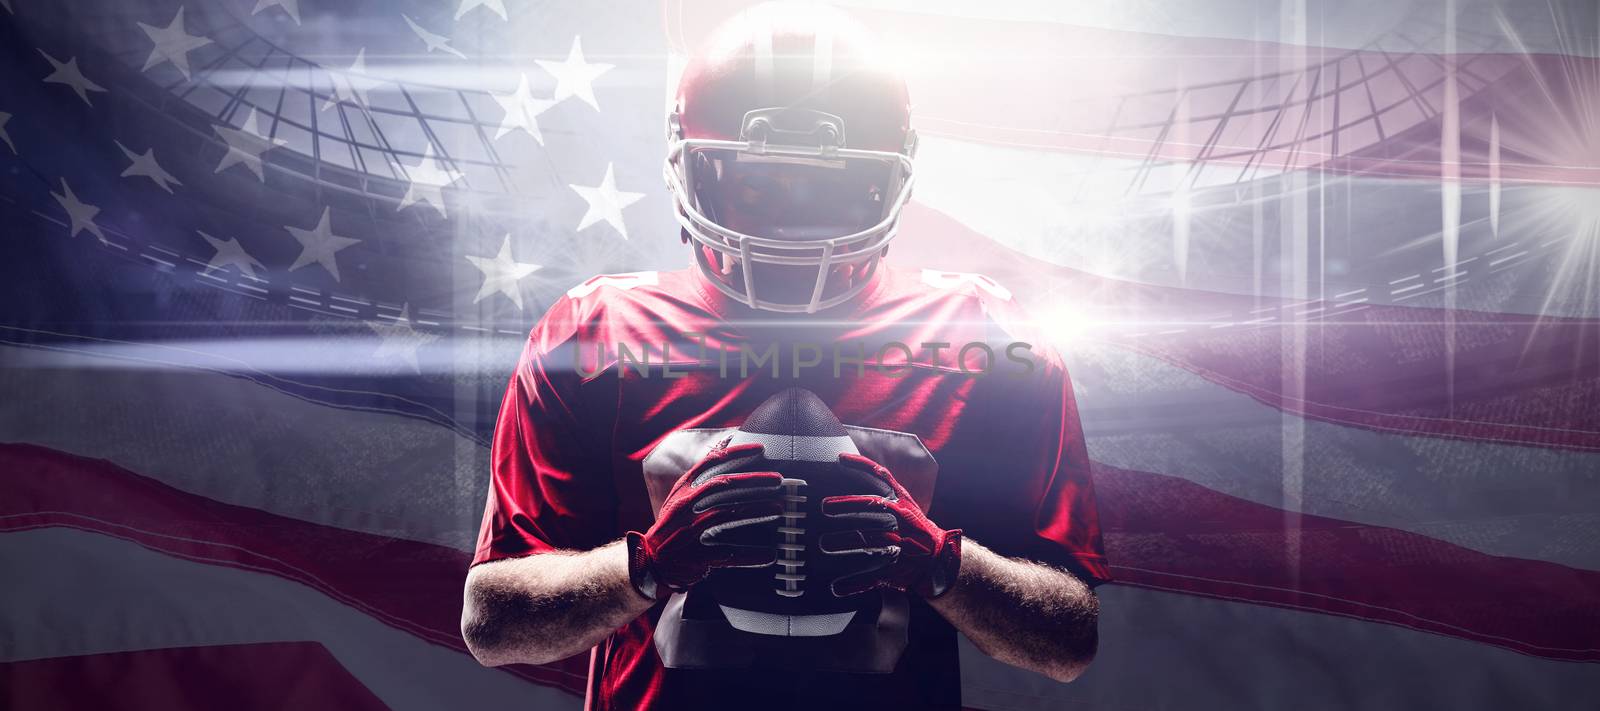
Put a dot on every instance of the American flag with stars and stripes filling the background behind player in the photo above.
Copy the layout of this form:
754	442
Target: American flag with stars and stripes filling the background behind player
1326	276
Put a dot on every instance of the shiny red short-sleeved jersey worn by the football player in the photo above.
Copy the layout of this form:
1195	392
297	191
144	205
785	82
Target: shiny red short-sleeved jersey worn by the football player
623	363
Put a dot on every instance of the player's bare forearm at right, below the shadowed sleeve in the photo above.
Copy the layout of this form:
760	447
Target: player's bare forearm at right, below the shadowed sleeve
1023	614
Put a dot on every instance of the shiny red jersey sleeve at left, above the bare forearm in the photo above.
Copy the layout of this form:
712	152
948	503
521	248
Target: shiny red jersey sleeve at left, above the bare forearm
550	481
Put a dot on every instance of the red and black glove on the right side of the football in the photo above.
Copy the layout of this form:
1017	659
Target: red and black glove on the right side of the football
897	544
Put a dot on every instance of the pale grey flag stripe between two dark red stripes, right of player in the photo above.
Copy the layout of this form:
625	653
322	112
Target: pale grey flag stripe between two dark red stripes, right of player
1502	500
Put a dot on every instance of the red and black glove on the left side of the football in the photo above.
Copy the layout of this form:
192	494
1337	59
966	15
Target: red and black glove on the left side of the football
710	521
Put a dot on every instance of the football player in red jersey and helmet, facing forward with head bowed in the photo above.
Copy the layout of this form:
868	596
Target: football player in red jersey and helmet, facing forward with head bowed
791	158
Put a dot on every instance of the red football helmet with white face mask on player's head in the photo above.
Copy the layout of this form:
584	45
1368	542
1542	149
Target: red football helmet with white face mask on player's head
791	158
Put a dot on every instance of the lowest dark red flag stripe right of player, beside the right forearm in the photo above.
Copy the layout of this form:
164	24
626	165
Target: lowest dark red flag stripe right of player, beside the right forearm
1175	536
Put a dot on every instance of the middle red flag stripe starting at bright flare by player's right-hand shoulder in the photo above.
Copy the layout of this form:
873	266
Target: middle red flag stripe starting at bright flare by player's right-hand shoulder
1516	380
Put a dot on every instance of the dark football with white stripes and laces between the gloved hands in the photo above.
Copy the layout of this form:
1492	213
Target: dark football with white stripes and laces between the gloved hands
786	613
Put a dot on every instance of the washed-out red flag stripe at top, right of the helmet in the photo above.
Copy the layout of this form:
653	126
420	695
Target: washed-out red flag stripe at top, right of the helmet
1247	103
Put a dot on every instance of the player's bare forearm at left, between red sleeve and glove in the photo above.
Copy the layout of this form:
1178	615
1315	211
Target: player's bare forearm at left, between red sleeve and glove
550	606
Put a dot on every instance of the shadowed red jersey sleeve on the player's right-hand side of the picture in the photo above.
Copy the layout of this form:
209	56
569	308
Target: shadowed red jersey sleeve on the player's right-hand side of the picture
1025	484
